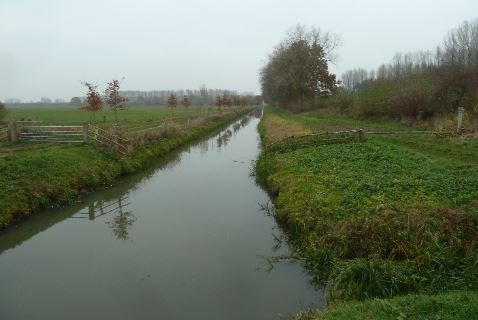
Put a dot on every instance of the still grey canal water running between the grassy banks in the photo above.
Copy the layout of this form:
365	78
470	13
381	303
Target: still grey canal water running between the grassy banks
184	239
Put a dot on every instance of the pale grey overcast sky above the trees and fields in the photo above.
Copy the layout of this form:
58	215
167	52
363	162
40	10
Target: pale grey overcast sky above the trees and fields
47	47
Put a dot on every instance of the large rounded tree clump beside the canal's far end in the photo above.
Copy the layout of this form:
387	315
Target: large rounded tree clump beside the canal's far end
296	73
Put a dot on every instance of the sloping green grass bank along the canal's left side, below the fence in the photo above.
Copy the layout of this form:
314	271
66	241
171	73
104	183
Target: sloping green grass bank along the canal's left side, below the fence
34	178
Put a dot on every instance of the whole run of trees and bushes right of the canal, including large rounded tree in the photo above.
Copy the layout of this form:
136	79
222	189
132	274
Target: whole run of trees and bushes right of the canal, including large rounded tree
417	85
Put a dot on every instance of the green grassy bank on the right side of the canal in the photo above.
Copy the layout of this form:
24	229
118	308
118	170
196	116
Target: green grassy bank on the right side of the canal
392	216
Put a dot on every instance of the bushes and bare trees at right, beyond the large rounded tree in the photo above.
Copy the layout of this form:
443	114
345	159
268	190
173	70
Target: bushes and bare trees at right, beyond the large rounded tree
417	85
